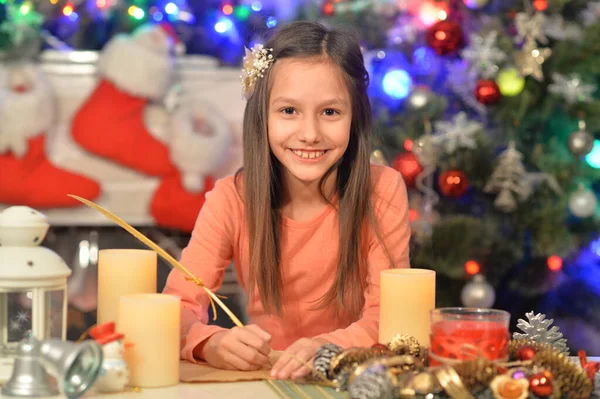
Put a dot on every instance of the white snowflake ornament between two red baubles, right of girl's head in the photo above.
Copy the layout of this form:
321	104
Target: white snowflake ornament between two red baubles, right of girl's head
458	133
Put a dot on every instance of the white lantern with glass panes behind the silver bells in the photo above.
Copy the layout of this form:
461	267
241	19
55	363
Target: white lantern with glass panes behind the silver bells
33	283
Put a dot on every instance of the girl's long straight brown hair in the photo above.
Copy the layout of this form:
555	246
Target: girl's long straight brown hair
262	172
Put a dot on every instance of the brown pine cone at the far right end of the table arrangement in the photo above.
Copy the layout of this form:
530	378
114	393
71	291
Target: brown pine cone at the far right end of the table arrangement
572	380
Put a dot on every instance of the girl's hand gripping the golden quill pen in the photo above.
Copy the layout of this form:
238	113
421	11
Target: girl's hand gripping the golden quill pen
243	349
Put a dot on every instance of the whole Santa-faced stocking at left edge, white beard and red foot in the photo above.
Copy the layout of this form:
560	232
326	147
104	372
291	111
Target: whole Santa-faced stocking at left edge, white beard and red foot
27	176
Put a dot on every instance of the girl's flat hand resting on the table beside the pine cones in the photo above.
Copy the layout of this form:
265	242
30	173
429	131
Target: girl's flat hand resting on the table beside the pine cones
289	364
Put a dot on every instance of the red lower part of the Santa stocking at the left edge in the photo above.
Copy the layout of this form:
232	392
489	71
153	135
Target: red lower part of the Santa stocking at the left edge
33	181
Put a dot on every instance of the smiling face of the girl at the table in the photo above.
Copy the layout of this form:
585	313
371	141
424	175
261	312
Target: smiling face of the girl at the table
310	113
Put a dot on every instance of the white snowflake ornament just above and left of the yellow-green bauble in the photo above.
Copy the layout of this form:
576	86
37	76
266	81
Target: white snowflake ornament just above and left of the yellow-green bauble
483	54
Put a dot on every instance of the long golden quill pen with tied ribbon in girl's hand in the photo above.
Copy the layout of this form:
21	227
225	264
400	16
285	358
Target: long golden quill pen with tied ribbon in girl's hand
163	254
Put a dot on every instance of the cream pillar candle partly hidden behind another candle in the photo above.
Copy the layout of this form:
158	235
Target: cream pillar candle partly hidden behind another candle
123	272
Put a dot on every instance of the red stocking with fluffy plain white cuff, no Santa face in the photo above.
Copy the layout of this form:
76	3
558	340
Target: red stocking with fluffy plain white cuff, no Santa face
134	70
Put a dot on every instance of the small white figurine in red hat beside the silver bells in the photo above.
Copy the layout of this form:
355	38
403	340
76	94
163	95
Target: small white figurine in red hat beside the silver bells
114	375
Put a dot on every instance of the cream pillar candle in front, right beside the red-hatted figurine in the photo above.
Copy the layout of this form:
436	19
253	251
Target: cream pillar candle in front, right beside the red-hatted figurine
150	323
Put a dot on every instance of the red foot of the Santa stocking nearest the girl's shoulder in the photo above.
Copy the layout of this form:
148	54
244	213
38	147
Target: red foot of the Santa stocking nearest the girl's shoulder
175	207
